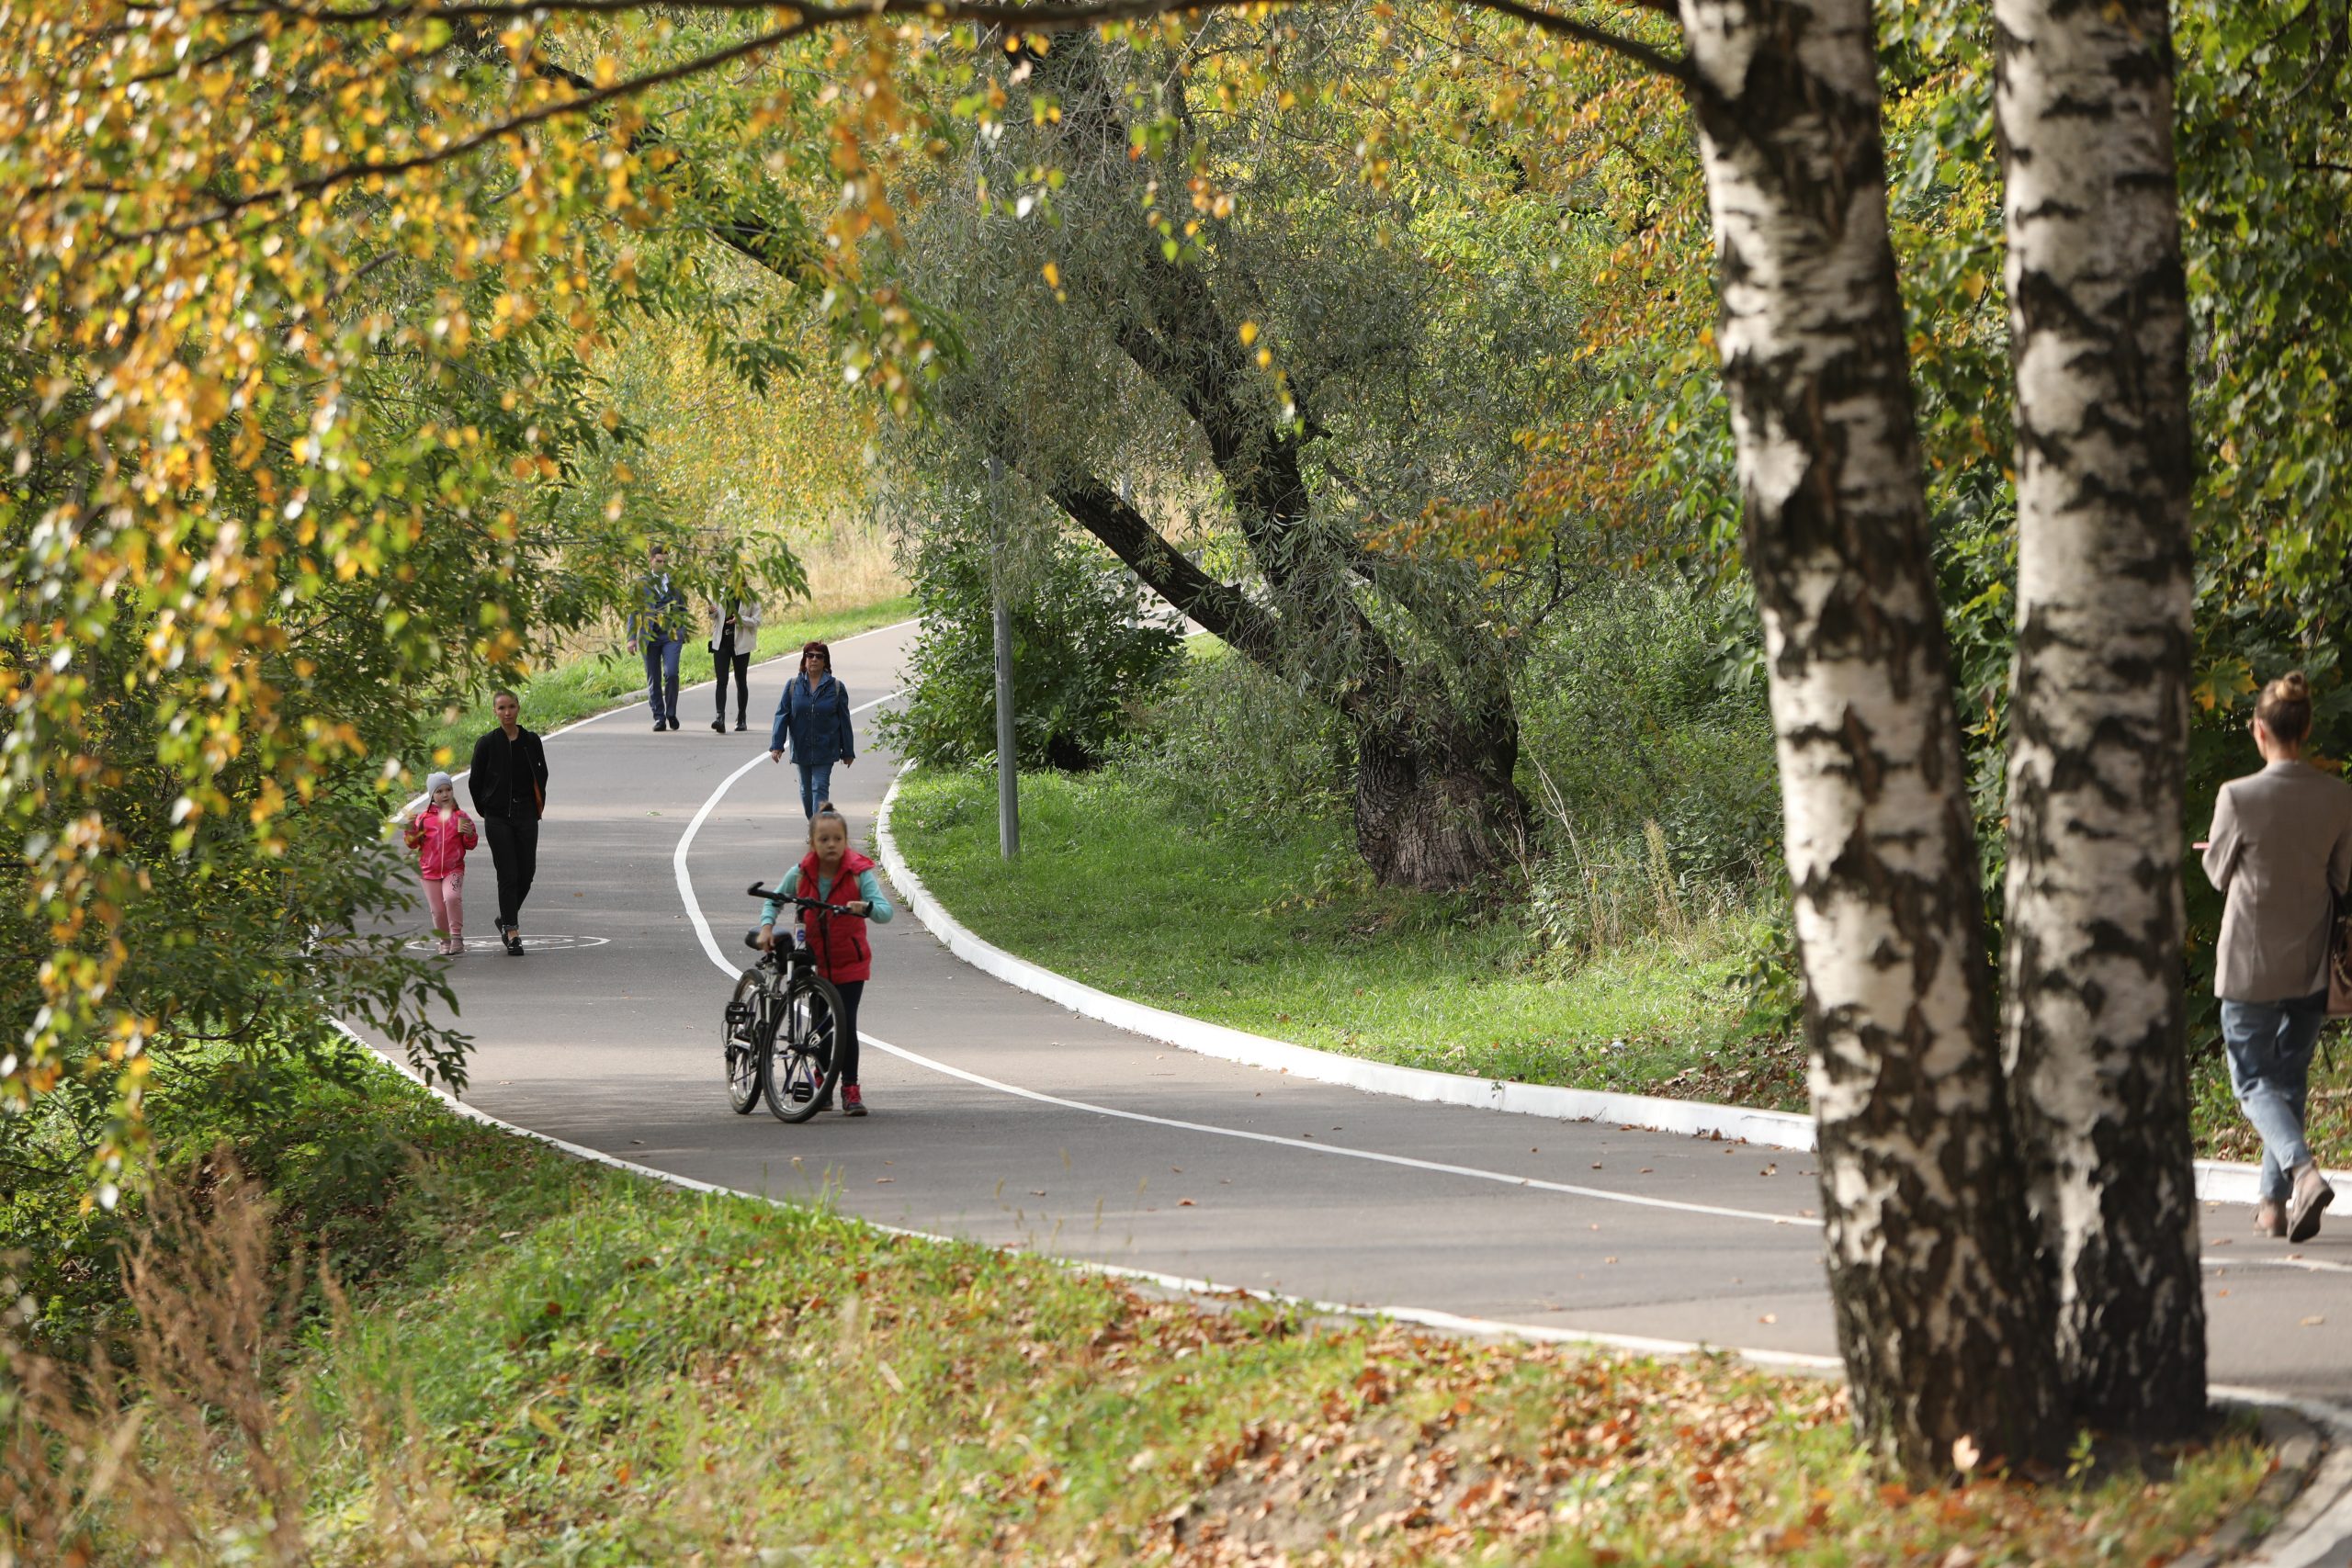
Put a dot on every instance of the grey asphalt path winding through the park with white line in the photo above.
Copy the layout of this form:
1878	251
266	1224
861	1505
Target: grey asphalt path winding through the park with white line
1008	1120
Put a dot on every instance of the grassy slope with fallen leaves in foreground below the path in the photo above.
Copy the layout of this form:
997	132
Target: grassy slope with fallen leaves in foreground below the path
552	1362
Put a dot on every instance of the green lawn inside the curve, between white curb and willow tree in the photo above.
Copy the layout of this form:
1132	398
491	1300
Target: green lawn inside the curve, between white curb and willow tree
1274	932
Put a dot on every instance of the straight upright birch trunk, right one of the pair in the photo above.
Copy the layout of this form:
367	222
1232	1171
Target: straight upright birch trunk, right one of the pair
2092	1012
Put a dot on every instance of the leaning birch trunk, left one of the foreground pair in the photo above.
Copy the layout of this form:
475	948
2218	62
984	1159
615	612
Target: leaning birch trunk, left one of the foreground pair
1942	1313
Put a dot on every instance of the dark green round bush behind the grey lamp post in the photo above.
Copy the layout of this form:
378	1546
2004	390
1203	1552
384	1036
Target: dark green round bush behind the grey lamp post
1088	652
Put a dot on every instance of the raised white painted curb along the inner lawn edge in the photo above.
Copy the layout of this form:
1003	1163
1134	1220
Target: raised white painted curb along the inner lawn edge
2217	1181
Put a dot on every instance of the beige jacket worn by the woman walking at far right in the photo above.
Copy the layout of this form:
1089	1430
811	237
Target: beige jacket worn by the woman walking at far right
2280	850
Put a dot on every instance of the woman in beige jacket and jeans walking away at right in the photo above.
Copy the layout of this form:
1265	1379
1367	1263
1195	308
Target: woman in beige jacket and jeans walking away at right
2283	852
